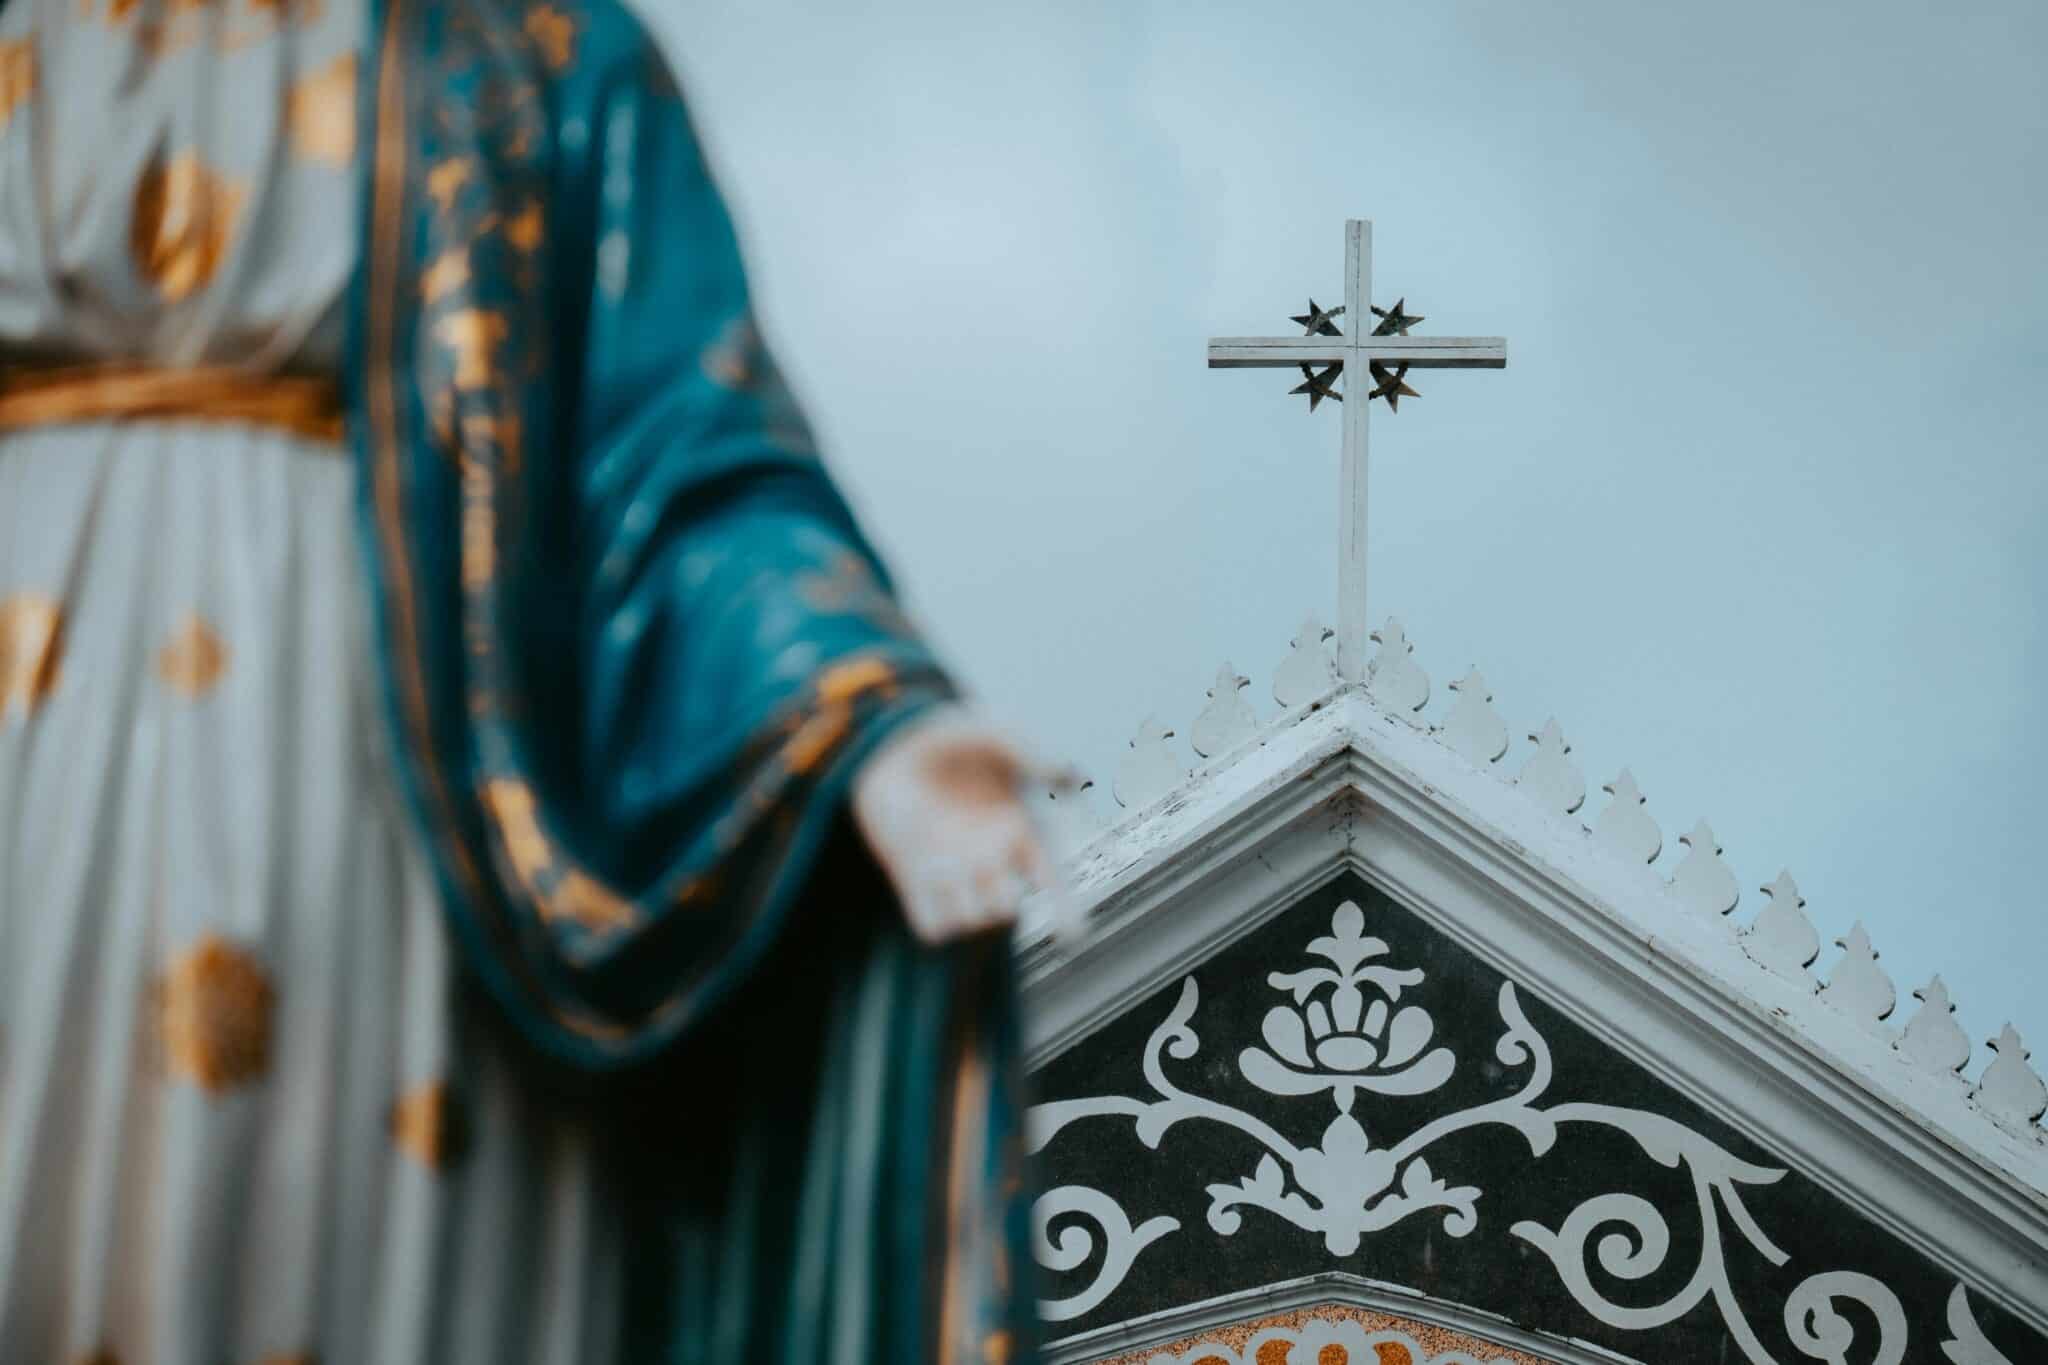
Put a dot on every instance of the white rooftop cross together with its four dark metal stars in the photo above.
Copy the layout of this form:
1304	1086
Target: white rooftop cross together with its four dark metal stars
1383	355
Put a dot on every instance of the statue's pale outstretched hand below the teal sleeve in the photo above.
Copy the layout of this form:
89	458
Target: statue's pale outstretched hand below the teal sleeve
943	809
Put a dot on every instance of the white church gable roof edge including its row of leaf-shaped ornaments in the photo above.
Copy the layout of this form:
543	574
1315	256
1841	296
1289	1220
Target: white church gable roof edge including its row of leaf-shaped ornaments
1871	1088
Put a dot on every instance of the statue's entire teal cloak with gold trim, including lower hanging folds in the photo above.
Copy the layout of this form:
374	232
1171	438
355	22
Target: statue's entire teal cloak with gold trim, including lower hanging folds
634	648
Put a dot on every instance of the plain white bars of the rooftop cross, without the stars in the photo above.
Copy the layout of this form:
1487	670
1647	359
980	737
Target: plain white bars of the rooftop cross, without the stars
1355	353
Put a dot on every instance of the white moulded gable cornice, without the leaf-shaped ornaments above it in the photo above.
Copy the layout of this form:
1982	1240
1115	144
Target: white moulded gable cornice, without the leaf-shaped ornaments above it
1347	789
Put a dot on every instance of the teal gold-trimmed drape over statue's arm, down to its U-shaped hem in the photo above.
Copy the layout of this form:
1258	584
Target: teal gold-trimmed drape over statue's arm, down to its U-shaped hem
636	642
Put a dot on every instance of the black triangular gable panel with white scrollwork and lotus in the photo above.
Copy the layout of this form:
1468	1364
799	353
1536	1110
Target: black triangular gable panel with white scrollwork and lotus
1347	1090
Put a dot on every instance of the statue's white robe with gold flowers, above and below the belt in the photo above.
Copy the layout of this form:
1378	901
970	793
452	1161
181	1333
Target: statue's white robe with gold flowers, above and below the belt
232	1073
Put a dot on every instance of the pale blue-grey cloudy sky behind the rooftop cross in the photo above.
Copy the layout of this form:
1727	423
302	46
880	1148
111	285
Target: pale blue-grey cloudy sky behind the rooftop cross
1758	507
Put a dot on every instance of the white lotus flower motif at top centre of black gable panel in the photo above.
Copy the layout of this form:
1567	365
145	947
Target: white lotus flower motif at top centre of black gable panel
1332	1039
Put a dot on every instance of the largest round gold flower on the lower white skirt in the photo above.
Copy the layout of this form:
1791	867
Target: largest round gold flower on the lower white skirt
218	1014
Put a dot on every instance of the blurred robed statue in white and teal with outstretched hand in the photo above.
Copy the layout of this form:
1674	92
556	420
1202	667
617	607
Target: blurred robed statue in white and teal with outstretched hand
486	869
